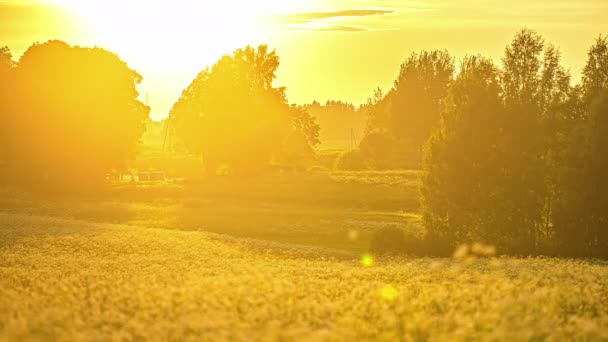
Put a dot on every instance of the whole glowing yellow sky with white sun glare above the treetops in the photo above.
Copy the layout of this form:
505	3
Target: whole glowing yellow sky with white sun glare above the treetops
329	49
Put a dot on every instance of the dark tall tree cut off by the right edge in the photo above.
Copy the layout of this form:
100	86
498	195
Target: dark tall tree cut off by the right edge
581	217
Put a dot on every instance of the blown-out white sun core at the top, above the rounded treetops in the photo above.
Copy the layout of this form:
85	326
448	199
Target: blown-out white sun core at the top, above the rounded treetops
152	32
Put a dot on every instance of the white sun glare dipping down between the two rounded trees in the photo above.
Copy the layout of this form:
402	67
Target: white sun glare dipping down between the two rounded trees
174	40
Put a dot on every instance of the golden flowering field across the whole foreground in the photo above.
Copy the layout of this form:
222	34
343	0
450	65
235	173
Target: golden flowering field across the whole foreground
70	279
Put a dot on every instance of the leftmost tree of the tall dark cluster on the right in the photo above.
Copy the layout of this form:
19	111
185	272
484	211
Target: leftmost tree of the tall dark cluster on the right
463	192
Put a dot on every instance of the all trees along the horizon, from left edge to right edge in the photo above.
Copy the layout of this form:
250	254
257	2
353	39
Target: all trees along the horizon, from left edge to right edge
511	153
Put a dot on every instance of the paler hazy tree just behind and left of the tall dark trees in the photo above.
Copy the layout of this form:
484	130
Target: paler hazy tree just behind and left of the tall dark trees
411	110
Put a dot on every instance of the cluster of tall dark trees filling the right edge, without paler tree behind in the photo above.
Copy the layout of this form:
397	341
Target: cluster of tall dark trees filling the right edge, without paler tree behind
518	159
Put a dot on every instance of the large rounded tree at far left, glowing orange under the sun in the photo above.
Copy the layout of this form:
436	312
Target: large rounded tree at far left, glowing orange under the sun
72	115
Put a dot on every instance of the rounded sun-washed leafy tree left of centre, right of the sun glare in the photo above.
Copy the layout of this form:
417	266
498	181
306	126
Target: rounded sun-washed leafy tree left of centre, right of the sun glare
232	114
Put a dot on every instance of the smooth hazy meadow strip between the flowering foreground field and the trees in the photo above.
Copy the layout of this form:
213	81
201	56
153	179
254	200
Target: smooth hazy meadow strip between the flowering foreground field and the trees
325	210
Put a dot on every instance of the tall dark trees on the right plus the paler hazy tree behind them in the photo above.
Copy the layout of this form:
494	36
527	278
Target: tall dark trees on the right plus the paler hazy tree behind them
512	155
